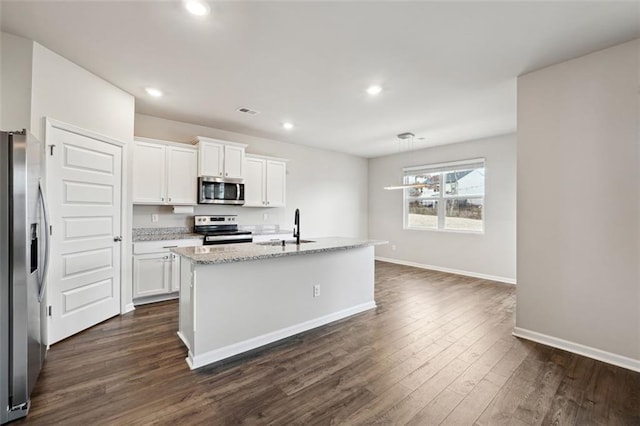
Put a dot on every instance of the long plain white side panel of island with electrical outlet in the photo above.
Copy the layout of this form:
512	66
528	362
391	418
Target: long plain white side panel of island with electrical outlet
244	305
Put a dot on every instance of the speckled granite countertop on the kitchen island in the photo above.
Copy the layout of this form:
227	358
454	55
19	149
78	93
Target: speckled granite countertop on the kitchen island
229	253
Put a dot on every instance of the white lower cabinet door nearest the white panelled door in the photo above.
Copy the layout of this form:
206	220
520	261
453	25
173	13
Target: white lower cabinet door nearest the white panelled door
150	274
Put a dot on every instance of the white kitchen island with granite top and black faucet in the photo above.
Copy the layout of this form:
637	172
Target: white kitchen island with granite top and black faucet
238	297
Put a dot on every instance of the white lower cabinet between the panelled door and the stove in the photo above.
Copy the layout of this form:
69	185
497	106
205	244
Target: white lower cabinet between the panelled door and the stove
156	271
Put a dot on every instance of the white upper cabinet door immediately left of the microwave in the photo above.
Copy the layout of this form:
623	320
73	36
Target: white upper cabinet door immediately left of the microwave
182	178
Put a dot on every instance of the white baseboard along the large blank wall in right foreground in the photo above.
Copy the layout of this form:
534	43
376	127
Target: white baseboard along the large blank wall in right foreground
577	348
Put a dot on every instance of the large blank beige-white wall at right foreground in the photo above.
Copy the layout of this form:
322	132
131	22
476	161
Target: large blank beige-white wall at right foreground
579	205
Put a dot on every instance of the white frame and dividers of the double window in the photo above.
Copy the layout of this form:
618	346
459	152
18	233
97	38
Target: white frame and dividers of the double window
442	198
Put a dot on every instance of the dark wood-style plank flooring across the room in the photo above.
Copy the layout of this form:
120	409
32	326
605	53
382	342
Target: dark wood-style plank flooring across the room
437	350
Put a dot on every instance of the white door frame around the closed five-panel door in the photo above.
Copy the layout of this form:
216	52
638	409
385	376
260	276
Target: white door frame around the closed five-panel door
126	290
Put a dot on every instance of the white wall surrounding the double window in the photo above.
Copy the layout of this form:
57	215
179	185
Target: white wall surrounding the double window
492	254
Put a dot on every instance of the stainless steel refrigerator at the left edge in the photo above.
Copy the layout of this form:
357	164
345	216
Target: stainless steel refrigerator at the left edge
24	241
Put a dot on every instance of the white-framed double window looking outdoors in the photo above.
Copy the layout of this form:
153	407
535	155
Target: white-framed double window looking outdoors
445	196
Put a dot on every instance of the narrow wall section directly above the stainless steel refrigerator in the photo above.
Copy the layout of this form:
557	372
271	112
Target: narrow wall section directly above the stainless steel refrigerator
15	82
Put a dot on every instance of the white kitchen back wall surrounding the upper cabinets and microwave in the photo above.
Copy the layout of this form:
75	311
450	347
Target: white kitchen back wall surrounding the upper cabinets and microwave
329	188
